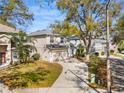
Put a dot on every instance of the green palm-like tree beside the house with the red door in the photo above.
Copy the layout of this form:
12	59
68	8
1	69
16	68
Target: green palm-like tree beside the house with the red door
23	44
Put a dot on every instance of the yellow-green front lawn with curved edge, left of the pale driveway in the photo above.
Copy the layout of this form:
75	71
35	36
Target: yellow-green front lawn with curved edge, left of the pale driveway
31	75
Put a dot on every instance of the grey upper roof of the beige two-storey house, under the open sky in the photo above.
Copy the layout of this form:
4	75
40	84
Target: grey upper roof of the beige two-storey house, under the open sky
41	32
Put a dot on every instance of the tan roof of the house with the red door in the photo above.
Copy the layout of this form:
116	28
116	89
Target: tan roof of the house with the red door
7	29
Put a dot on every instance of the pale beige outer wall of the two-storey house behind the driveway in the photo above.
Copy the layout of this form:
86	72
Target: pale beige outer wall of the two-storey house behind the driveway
45	53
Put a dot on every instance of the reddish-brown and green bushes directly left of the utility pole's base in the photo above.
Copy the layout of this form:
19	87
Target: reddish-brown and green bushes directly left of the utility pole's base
98	67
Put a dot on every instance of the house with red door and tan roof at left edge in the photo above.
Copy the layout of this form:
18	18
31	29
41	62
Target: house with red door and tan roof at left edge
5	45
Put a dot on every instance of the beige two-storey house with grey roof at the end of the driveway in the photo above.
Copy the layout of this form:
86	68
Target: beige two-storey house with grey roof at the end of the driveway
51	47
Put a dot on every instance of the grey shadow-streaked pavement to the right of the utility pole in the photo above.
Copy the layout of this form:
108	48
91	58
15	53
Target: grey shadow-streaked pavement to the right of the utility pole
117	66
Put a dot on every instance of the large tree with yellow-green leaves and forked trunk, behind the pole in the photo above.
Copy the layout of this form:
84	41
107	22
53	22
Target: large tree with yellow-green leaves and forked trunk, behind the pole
89	17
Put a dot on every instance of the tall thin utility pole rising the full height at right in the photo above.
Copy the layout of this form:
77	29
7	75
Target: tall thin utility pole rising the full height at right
108	50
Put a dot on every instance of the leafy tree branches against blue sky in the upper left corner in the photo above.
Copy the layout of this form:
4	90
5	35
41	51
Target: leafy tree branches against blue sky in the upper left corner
14	12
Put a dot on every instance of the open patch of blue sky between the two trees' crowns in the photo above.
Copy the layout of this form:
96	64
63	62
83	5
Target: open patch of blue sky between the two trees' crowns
43	16
